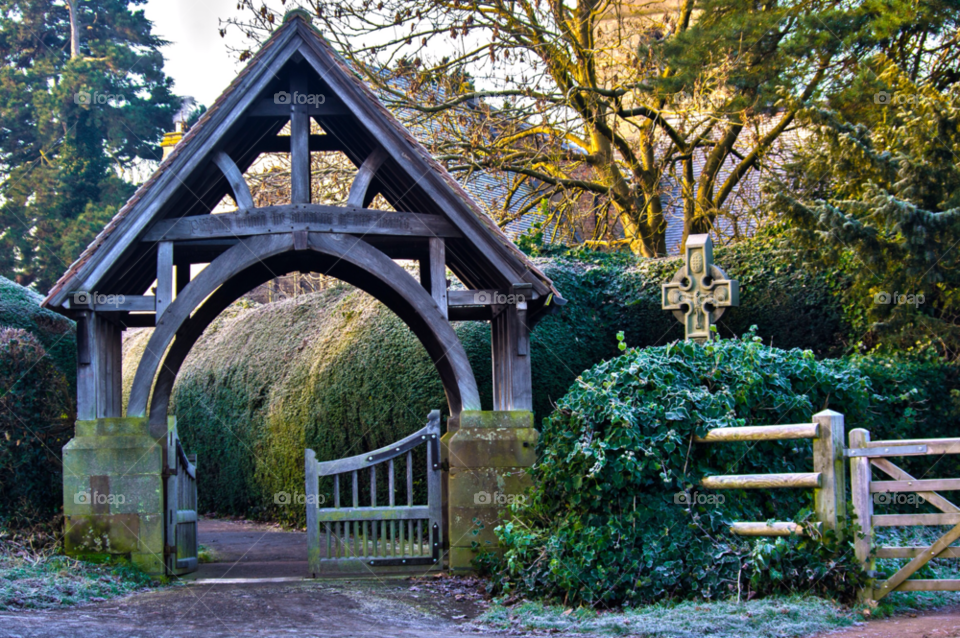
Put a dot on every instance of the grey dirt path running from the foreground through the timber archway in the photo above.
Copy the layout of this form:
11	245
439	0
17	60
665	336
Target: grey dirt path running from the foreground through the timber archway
258	556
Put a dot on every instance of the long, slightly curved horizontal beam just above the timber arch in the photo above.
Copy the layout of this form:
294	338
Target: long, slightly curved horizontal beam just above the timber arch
313	218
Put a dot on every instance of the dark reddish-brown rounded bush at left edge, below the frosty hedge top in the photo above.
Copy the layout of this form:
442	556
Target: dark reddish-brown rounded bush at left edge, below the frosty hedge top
36	420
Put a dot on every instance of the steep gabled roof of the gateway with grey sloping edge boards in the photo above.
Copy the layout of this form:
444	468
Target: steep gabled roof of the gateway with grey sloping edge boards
187	183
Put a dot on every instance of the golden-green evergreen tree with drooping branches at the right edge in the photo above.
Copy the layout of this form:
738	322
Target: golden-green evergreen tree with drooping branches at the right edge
874	193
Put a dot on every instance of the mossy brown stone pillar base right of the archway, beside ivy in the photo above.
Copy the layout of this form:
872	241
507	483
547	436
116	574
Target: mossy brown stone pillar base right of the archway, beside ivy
487	456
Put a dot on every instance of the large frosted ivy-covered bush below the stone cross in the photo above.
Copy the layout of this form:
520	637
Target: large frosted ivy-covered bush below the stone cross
615	517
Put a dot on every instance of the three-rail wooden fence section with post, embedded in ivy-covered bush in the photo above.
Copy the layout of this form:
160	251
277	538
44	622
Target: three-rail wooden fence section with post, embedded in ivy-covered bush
827	479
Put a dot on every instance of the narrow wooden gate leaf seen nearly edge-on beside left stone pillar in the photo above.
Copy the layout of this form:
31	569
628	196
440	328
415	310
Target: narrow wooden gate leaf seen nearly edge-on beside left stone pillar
180	496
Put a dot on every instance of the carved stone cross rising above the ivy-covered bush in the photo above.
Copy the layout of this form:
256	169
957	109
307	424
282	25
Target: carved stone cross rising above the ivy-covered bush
700	292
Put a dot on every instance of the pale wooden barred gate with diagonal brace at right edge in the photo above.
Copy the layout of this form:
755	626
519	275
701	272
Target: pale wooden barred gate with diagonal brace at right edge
865	455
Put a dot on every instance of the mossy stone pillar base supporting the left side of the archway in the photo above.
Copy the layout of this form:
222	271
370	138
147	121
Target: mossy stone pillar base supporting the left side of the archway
113	492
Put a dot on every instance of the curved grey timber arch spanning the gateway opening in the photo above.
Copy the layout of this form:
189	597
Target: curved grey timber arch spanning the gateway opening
256	260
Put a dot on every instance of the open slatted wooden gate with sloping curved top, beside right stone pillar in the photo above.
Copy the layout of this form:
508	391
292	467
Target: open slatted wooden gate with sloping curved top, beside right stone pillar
376	538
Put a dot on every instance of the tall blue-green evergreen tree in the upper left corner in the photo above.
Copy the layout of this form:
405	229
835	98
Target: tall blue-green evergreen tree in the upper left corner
84	99
